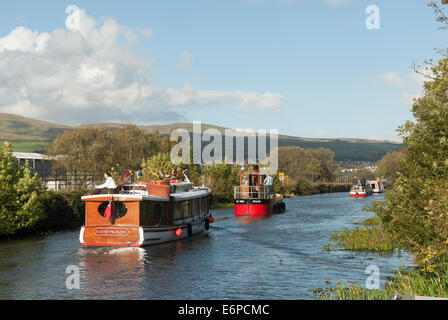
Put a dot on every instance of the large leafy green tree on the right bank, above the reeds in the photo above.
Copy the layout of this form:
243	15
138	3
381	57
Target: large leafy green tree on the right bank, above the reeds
415	209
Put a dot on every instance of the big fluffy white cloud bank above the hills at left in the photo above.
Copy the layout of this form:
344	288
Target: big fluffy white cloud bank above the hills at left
92	75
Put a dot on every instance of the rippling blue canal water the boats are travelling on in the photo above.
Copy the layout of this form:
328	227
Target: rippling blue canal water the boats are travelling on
280	257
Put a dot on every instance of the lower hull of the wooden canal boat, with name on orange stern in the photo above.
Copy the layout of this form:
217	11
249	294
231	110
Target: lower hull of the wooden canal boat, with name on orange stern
139	236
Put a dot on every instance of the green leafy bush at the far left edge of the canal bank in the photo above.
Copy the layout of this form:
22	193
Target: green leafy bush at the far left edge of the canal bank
21	195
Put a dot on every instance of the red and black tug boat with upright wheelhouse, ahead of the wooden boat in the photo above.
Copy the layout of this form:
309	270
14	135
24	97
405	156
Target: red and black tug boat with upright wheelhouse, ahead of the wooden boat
254	199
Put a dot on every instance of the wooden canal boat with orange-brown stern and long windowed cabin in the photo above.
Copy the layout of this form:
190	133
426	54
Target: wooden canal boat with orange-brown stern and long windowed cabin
145	214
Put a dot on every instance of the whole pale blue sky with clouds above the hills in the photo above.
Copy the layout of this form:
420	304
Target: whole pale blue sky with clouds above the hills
309	68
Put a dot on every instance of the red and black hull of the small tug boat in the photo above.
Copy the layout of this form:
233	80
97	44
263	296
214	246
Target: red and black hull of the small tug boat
258	208
